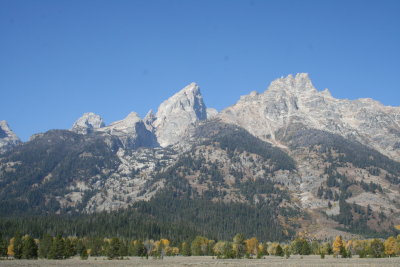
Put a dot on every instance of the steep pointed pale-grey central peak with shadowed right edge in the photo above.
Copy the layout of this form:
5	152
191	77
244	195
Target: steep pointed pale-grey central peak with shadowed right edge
177	113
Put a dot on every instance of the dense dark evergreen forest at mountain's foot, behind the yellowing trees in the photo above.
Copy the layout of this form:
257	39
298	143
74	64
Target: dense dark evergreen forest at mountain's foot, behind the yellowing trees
169	214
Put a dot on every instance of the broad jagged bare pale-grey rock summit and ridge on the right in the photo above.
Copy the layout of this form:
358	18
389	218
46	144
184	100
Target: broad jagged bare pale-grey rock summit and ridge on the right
294	99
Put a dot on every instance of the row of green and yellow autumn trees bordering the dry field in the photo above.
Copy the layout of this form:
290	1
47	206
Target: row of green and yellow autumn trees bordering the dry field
58	247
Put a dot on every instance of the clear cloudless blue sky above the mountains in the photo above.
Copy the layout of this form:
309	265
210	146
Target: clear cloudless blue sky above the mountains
59	59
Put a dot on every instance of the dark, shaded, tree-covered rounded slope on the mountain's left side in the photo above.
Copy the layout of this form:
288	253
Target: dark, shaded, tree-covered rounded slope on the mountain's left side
33	174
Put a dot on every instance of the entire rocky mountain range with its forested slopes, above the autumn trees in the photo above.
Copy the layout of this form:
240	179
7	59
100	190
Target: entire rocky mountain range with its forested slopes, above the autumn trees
287	160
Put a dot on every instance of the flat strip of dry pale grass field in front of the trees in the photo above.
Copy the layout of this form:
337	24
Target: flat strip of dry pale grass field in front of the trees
206	261
